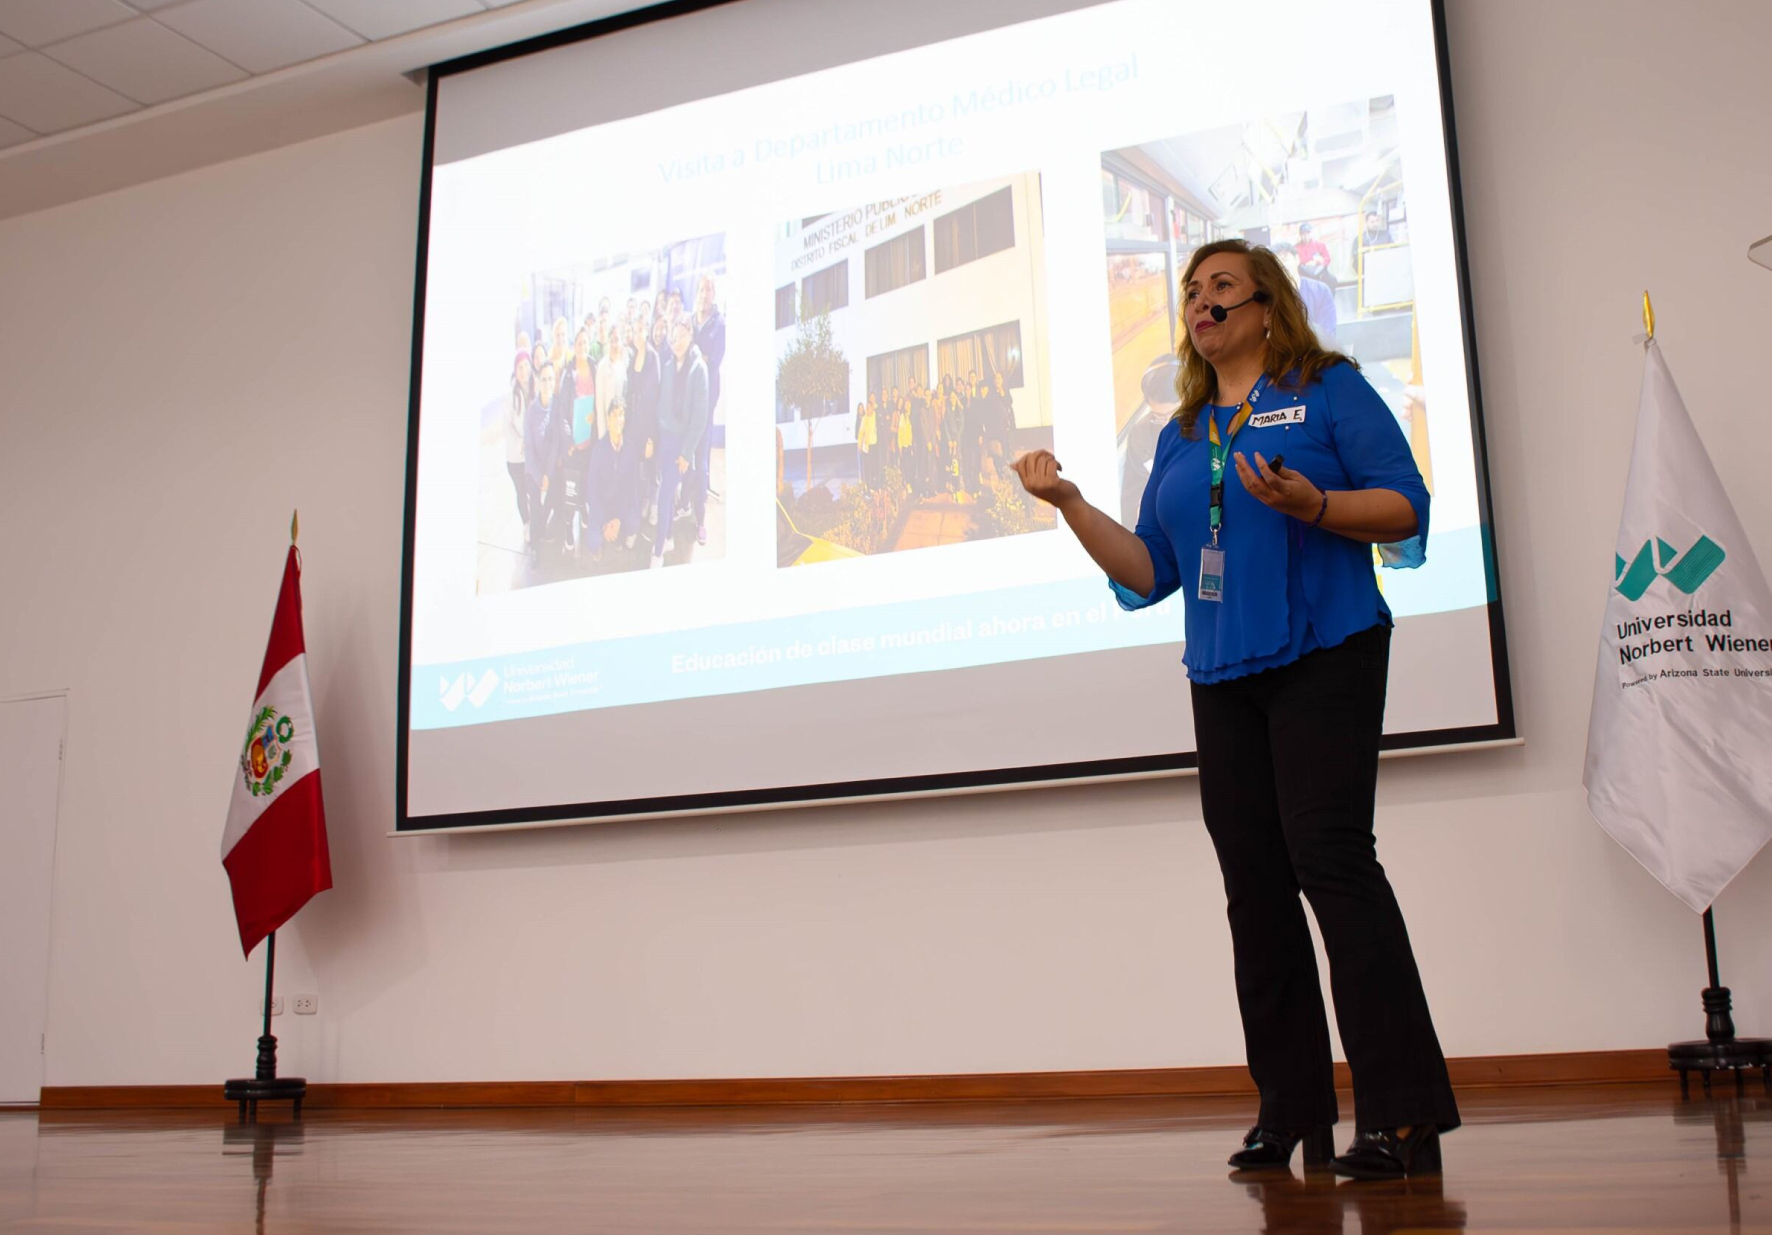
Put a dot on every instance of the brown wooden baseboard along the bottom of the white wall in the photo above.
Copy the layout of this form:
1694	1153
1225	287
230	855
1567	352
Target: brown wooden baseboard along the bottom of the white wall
1473	1073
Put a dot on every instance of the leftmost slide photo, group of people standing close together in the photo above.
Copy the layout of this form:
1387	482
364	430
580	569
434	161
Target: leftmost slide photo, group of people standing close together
607	454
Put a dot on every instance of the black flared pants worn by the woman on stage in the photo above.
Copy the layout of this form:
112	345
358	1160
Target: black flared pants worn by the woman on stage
1289	766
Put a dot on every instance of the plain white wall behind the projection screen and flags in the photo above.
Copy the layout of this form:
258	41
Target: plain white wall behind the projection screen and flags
185	362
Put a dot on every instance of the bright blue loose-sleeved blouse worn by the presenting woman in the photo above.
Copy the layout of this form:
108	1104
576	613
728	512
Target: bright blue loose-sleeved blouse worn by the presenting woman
1289	589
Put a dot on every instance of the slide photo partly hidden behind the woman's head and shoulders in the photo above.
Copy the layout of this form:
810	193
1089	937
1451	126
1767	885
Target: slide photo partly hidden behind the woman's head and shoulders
1325	190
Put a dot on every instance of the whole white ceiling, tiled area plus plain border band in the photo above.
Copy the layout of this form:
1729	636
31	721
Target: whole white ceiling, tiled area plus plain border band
100	95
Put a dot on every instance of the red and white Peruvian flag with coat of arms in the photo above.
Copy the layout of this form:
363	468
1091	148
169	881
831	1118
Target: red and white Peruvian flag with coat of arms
276	843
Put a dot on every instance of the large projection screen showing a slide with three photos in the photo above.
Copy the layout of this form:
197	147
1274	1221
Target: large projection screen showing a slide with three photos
731	318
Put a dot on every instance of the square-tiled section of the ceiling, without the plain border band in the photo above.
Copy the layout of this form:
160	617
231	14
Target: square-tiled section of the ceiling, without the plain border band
74	63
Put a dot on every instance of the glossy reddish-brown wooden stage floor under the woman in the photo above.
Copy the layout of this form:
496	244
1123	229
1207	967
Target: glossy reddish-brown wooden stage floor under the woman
1629	1158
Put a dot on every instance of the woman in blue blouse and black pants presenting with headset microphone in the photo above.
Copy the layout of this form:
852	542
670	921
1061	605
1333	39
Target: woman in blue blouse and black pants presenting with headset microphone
1287	653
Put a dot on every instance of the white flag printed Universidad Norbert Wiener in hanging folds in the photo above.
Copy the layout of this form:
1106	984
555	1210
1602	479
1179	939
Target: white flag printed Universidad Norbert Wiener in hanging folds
1679	768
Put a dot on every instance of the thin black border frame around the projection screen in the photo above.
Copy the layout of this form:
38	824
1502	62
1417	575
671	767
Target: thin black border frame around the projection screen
1502	733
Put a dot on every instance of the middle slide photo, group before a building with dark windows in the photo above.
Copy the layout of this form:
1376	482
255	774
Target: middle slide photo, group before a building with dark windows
912	369
